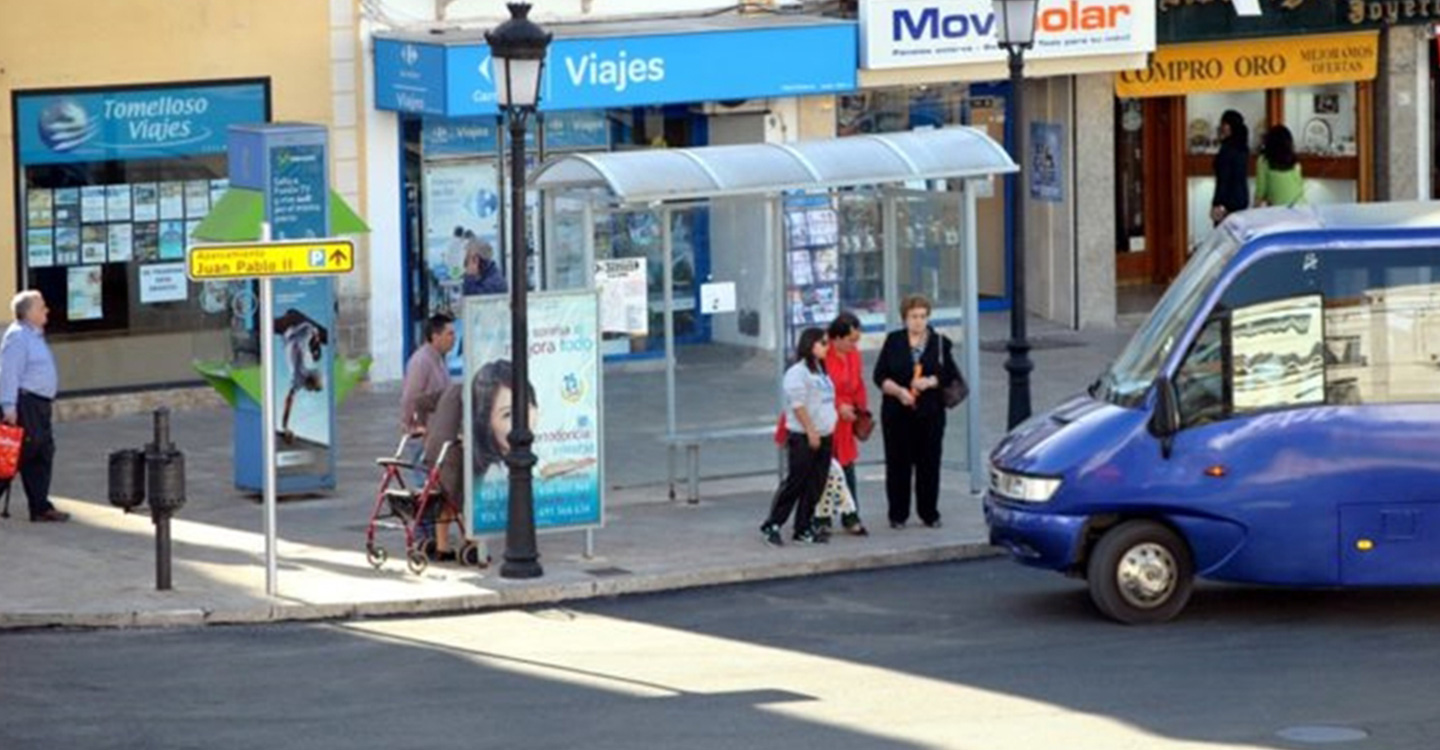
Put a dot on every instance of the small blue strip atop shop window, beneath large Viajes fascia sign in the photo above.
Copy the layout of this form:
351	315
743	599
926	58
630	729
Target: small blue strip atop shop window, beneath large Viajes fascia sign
477	136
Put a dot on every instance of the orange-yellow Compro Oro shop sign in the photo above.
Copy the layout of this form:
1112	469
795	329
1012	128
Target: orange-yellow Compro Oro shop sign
1255	64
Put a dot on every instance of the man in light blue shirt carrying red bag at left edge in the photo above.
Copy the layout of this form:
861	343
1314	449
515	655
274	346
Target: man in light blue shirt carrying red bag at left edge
28	385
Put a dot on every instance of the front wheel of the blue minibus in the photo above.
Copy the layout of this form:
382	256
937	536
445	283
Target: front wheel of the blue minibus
1140	574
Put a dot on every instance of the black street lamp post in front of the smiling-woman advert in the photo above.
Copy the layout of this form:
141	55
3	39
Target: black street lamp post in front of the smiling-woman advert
518	51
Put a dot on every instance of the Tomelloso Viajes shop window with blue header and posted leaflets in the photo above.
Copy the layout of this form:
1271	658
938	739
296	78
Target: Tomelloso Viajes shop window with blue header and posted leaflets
112	182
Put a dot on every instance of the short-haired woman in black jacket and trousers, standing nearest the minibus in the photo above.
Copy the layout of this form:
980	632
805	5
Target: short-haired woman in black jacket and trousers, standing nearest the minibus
911	372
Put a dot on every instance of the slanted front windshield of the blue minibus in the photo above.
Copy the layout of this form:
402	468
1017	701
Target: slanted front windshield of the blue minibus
1127	381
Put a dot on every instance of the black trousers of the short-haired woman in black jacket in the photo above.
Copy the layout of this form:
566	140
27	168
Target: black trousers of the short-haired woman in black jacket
914	443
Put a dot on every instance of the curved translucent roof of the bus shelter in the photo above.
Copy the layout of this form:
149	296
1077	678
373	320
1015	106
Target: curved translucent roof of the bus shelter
735	171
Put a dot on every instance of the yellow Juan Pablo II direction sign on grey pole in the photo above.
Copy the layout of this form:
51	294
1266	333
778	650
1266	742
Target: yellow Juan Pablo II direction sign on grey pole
258	260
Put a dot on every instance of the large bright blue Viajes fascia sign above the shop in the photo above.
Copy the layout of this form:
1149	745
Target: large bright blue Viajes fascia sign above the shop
593	74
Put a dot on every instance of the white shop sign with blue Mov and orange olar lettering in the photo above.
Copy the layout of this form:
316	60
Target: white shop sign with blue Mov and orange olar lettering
912	34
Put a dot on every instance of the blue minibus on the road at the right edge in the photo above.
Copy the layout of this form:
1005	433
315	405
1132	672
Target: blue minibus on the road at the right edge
1275	421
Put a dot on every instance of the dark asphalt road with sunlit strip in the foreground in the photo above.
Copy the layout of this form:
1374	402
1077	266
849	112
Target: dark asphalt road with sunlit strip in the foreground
970	656
